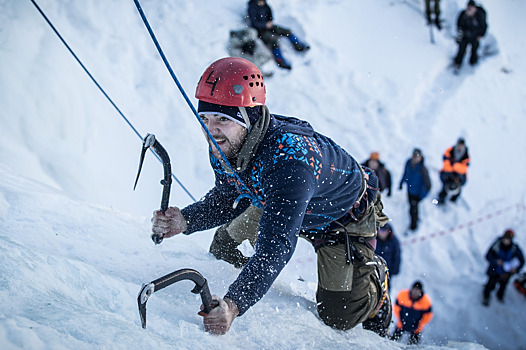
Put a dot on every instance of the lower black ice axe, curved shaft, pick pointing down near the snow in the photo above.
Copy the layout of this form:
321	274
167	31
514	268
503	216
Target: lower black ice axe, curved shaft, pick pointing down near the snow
201	287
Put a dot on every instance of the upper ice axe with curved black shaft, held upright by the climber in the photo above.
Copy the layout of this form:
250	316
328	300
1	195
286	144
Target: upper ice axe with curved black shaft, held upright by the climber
149	141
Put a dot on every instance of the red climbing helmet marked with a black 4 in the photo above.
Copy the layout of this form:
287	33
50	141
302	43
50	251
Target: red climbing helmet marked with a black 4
232	81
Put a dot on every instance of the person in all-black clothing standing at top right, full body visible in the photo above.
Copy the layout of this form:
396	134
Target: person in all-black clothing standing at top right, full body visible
471	26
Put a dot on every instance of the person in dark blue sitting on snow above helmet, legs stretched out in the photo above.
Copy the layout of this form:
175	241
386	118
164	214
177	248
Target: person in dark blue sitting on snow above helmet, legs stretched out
260	16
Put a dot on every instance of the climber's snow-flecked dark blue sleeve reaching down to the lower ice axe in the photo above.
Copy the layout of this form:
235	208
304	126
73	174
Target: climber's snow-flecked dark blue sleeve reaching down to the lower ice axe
287	190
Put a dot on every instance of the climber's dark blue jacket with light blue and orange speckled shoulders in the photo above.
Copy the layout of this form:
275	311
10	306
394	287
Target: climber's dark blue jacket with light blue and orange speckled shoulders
301	179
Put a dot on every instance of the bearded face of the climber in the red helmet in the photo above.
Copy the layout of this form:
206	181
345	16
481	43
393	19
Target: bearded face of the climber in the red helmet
229	135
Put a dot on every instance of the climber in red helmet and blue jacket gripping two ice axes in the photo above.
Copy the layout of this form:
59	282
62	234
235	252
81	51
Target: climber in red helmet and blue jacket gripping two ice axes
289	181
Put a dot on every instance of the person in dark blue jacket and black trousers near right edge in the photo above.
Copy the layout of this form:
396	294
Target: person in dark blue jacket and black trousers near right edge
505	259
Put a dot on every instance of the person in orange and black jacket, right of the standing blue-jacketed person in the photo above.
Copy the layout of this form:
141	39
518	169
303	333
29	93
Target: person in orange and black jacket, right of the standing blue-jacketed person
454	171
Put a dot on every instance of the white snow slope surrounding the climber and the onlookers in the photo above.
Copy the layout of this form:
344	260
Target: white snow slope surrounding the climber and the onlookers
75	242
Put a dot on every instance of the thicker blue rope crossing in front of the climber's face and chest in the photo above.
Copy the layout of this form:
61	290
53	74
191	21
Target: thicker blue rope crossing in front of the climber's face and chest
181	89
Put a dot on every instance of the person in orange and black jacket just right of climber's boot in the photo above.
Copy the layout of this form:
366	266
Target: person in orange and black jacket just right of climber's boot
413	311
